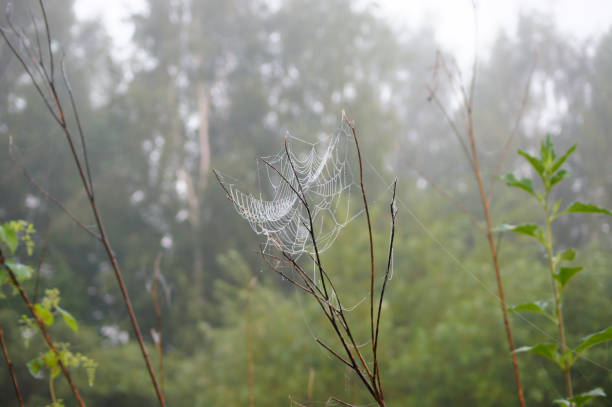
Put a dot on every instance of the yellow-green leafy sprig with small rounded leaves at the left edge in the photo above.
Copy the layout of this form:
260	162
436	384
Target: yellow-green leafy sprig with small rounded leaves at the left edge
58	356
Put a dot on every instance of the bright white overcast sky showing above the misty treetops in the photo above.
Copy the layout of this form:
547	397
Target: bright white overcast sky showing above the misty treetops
451	19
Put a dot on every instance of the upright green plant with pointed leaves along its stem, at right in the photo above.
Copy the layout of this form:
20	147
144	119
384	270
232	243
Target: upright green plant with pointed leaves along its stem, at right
549	167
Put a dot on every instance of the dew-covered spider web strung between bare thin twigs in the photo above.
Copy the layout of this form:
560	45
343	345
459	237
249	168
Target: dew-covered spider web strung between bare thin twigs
317	175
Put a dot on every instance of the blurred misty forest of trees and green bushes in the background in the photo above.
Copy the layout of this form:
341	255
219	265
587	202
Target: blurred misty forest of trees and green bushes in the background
215	84
